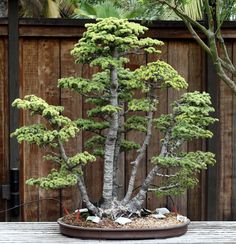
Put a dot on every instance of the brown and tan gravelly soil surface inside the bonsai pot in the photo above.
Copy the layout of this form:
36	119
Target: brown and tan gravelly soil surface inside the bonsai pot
137	223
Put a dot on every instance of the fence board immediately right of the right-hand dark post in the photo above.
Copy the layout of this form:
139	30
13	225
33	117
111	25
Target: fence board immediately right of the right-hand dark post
226	115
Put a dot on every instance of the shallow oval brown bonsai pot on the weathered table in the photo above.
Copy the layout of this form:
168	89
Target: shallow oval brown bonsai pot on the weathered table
125	234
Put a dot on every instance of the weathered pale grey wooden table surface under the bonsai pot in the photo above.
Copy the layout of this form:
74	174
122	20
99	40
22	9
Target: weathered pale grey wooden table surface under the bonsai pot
48	232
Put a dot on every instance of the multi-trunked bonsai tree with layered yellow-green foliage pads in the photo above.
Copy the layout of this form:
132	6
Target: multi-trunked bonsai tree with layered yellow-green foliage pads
107	44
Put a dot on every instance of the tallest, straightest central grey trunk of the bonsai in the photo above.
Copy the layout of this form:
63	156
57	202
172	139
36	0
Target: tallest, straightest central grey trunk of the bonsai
110	144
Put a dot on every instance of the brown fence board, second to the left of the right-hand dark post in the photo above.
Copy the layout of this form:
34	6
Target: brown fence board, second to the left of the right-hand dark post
178	51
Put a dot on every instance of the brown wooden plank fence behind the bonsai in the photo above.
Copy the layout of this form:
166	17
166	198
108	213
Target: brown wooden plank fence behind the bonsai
44	56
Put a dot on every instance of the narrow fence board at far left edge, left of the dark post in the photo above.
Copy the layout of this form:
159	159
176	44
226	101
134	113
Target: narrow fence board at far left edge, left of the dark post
4	160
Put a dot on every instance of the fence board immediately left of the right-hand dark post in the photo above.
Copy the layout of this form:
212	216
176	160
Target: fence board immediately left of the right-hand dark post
195	81
